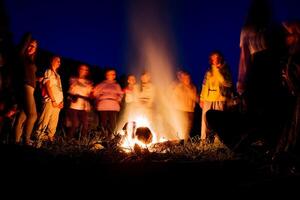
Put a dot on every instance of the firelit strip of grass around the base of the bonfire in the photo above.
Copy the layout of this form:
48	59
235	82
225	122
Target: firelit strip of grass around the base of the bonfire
110	151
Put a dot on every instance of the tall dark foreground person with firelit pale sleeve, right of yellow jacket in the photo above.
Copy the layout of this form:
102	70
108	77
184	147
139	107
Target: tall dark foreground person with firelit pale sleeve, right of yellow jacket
259	73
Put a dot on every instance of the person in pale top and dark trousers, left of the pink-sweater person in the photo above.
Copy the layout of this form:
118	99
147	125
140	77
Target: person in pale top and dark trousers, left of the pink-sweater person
80	90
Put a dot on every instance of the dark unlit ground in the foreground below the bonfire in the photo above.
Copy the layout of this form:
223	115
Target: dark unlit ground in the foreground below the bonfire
142	170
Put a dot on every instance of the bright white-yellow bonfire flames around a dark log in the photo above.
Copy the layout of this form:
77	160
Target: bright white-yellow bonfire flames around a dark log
131	134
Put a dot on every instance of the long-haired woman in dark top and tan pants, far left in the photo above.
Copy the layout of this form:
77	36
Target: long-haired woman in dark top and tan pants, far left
26	83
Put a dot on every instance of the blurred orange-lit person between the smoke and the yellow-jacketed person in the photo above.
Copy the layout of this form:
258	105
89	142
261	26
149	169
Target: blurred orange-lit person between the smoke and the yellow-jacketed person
185	97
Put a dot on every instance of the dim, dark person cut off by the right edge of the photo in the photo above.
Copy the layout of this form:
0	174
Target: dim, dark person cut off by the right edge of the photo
288	143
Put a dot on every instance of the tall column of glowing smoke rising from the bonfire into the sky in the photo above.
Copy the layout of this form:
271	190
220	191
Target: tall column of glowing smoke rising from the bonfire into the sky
154	52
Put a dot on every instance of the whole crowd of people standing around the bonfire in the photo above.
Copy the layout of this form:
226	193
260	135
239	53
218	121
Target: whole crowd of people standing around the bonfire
266	96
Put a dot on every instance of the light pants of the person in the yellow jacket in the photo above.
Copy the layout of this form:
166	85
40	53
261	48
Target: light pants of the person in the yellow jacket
209	105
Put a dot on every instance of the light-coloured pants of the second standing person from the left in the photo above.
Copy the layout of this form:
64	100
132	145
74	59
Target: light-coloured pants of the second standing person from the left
48	120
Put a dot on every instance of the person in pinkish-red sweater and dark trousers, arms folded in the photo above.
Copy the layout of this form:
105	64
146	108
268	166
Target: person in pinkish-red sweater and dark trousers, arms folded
108	95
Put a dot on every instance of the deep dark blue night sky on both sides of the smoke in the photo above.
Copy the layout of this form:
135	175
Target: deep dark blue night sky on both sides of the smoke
97	31
